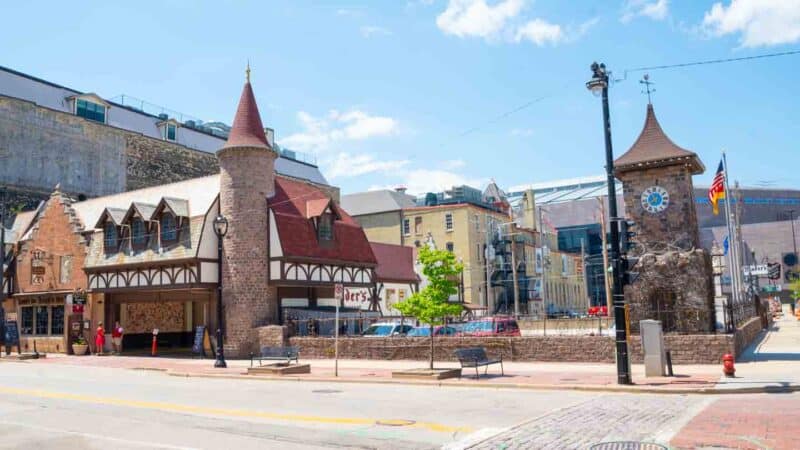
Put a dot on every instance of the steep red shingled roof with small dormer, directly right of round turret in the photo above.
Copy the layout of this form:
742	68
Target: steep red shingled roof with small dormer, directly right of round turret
297	231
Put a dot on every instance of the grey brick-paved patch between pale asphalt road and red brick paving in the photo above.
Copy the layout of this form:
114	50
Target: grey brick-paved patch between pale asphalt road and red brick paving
645	418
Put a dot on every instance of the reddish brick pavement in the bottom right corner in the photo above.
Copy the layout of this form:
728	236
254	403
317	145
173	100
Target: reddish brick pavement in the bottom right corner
765	421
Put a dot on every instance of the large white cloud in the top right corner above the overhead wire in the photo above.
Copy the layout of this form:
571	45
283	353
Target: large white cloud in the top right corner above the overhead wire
760	22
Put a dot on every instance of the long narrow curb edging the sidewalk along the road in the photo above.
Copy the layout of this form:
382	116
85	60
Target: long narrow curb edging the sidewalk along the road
533	387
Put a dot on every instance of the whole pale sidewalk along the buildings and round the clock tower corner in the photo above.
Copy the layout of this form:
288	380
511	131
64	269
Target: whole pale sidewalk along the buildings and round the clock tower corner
771	363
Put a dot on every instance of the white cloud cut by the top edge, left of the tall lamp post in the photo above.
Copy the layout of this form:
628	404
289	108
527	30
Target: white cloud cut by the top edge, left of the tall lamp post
476	18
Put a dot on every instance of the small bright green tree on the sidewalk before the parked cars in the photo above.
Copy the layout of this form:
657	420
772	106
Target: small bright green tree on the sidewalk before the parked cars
431	305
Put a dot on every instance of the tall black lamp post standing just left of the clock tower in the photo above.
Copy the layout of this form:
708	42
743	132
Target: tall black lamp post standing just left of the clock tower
599	86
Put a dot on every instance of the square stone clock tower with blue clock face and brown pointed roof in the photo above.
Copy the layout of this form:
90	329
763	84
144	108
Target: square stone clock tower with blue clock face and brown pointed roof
675	284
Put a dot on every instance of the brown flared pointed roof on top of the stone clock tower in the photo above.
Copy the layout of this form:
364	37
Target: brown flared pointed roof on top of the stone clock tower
653	148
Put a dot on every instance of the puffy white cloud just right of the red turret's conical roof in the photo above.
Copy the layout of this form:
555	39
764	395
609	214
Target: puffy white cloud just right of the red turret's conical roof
320	133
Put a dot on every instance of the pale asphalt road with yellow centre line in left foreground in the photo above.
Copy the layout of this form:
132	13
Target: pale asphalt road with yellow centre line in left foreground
79	407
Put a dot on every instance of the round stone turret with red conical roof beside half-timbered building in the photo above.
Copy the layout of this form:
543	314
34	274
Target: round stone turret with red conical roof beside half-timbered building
247	181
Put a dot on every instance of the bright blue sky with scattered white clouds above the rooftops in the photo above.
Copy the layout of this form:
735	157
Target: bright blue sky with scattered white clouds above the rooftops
428	94
